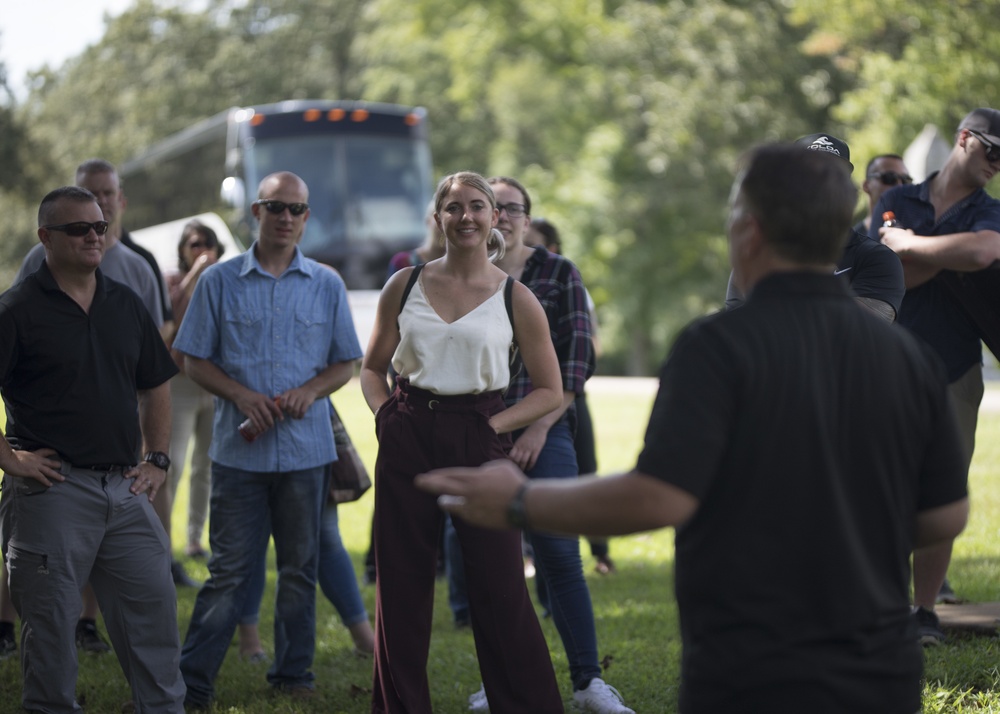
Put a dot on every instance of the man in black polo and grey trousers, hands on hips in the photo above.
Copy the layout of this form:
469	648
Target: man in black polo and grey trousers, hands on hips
84	377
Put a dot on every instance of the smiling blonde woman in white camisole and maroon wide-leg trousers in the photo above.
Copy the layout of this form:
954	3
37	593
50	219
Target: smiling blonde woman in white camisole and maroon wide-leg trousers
449	344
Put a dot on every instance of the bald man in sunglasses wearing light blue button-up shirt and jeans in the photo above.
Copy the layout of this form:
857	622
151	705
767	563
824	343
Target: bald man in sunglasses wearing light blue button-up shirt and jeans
270	334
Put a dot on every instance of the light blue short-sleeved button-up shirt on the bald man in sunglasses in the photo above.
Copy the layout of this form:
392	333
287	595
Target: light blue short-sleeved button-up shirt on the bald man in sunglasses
270	335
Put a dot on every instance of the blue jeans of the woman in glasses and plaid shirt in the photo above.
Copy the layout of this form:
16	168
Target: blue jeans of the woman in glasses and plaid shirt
557	561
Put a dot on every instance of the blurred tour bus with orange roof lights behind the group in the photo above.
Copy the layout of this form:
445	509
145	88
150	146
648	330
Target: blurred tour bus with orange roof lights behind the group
367	165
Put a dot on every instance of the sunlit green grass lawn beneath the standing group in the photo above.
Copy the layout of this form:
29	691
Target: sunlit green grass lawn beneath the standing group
635	610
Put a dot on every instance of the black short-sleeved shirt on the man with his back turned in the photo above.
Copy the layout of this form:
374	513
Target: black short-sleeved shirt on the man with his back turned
811	432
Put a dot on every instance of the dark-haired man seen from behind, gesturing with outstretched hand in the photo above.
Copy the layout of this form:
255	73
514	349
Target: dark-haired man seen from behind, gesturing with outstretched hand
805	603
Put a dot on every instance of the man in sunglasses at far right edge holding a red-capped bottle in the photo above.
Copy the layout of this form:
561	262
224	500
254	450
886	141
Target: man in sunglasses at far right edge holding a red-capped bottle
949	241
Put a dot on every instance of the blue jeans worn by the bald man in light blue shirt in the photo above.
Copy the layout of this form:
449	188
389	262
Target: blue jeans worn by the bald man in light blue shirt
247	507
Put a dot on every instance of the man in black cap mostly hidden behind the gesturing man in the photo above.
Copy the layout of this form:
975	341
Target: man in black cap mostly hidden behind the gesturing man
873	272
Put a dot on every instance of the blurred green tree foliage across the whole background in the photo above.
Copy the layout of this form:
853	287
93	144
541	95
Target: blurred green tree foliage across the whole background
624	118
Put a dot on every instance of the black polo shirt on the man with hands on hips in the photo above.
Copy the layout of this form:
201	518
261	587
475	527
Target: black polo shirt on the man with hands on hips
69	378
